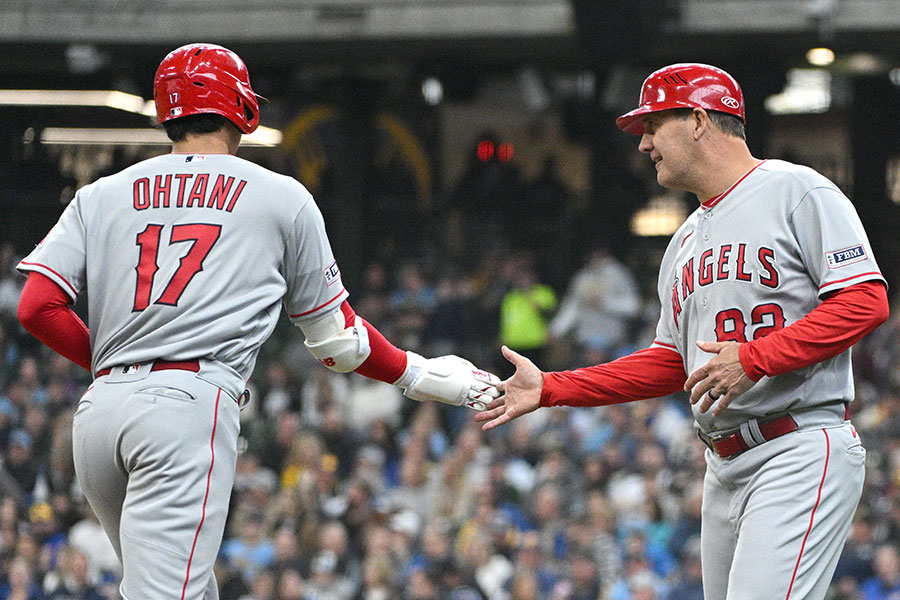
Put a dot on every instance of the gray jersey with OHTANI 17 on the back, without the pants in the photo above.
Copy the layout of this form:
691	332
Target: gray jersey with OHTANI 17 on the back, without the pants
190	256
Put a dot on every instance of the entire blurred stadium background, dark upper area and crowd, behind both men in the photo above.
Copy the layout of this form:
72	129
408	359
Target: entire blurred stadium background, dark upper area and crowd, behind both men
464	155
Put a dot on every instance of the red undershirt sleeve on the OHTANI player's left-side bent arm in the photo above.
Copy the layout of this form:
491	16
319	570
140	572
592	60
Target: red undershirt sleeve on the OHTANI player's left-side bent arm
44	311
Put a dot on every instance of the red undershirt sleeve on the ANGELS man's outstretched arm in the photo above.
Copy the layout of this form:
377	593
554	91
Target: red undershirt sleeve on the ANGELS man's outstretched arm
649	373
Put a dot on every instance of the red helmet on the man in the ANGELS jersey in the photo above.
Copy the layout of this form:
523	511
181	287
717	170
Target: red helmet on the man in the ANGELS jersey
685	85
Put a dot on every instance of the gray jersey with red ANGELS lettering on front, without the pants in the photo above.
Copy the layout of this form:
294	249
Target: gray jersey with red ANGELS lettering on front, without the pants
753	260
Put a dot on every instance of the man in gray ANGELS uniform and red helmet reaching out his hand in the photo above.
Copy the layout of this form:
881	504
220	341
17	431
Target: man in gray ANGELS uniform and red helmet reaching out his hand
764	289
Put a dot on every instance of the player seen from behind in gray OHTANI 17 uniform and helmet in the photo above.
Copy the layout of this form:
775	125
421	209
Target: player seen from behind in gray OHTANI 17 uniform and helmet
187	257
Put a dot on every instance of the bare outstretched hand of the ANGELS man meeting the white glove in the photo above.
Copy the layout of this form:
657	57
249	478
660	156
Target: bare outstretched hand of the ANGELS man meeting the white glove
519	395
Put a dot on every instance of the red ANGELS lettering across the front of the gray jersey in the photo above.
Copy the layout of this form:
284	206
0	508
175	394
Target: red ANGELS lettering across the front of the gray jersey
727	262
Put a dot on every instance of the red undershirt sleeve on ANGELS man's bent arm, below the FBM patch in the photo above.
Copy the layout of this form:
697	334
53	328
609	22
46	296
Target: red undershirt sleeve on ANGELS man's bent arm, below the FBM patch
840	321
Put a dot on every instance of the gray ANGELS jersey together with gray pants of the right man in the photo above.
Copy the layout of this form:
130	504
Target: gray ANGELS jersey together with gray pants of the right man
747	263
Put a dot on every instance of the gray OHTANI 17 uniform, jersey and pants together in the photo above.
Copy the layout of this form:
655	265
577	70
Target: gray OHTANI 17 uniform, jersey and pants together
186	259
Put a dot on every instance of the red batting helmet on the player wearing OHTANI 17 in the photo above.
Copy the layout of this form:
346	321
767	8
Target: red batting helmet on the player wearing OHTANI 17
205	78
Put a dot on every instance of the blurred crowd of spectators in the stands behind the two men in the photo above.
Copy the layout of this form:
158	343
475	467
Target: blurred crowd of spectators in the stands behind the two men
346	490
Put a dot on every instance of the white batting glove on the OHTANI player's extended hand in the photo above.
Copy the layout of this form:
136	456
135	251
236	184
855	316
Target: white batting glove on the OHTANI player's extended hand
448	379
